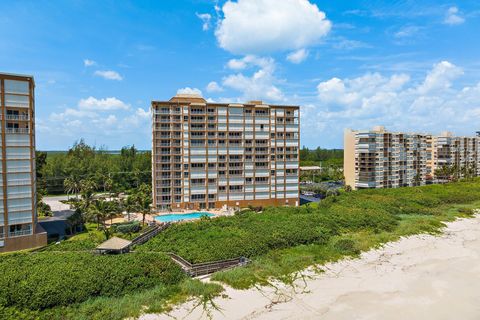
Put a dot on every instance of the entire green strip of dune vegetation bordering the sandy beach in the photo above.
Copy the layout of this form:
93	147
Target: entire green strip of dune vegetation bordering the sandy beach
280	242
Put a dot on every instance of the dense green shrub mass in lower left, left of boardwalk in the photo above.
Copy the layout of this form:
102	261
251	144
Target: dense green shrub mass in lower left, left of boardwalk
47	279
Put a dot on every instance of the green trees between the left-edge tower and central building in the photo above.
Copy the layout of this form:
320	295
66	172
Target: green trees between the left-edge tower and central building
59	171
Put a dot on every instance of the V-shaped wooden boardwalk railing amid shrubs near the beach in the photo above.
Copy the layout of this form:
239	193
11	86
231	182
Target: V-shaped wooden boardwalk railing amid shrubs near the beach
200	269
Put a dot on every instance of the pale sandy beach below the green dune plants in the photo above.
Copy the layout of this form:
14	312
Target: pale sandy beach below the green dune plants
419	277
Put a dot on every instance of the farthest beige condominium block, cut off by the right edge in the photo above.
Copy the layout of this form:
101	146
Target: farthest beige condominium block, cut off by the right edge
459	152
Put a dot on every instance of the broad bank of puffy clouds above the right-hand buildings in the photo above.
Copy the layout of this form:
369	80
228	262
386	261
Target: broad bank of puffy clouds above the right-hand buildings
430	104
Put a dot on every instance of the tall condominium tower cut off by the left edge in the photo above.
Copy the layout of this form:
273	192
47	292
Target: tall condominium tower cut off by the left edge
18	218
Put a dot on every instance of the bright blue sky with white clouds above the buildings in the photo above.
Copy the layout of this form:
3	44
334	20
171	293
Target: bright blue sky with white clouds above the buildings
408	65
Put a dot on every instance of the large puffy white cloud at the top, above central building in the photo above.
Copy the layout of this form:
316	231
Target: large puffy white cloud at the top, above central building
261	26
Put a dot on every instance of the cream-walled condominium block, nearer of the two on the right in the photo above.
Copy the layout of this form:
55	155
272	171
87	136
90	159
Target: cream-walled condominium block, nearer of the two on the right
382	159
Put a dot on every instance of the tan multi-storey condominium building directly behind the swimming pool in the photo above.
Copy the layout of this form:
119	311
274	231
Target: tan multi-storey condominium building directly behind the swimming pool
207	155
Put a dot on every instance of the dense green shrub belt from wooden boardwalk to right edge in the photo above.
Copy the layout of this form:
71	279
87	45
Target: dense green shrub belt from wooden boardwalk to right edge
253	234
